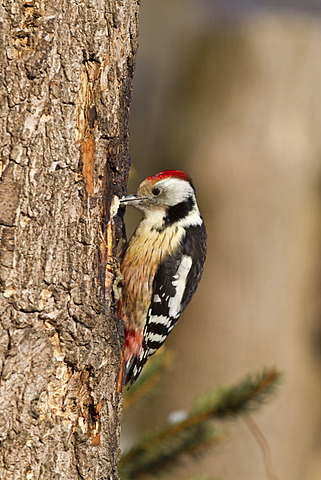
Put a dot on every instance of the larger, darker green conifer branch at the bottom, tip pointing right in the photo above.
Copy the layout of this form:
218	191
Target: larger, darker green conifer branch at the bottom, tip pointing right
160	451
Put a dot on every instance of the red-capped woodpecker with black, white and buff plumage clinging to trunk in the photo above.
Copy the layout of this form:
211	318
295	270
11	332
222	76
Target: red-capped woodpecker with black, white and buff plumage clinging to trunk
161	266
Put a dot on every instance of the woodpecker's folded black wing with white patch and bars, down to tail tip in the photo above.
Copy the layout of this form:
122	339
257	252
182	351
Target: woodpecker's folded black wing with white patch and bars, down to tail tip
174	285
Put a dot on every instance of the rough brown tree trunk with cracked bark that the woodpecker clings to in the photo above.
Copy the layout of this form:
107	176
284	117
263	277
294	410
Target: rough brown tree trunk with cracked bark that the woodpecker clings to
66	75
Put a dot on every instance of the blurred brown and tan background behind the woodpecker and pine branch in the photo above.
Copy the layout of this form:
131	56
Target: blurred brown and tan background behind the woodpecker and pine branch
230	91
